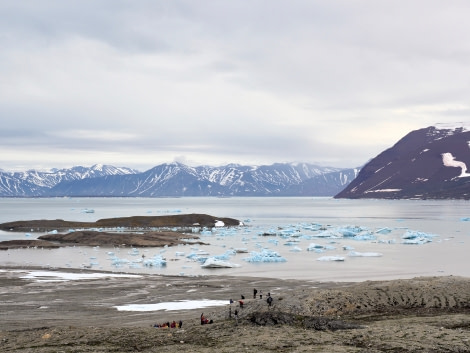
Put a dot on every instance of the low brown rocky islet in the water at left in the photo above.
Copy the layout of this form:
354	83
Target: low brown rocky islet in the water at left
136	231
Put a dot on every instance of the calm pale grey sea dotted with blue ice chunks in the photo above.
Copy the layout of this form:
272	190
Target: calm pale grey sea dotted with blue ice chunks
448	222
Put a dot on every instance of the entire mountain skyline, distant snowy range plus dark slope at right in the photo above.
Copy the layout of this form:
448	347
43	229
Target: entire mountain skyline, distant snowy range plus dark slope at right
429	163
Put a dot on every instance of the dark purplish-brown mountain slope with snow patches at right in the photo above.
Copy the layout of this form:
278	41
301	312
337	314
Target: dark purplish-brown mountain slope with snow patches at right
429	163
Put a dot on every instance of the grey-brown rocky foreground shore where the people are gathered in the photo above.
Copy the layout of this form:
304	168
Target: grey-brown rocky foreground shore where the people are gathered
417	315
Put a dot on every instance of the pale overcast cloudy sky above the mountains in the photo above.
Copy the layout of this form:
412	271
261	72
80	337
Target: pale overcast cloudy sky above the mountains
139	83
